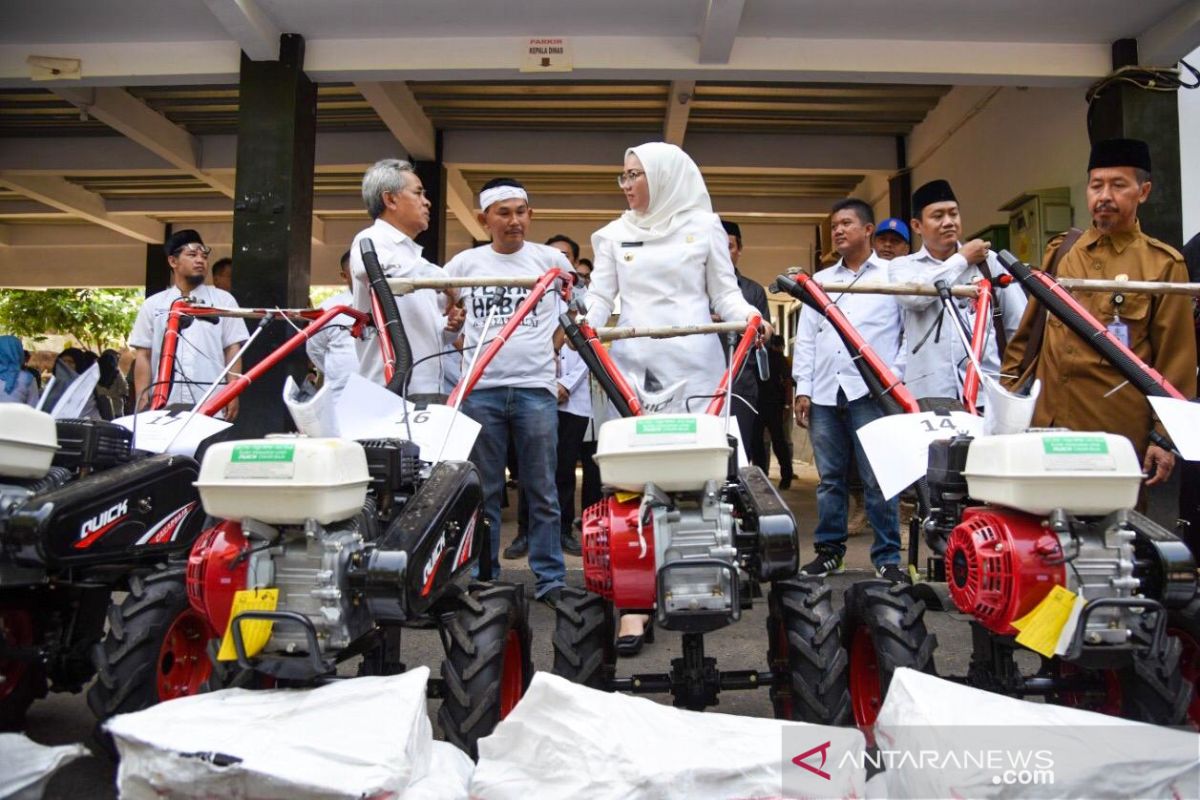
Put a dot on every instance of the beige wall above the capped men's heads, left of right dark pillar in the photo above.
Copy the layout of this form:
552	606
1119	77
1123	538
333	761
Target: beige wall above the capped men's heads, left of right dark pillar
994	145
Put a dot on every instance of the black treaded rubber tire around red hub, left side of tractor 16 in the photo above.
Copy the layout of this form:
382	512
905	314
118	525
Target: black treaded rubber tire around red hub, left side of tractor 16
128	661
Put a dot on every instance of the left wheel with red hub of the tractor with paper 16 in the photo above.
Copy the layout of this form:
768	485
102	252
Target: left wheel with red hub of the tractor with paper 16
157	648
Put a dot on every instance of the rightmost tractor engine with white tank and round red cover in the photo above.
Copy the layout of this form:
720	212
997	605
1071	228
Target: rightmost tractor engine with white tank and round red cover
1060	518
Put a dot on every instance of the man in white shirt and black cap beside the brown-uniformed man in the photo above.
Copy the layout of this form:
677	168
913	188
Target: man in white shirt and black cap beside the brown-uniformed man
938	360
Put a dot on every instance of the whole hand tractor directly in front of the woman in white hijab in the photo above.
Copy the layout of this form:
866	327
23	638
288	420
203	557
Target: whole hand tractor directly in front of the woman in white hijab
688	537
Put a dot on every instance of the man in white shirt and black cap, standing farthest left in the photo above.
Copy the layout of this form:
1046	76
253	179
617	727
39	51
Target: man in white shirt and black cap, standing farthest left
206	346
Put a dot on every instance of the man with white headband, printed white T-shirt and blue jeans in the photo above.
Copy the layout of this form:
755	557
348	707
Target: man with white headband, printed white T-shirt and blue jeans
518	392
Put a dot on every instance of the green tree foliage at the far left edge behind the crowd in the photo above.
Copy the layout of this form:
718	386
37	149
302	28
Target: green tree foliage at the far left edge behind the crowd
97	318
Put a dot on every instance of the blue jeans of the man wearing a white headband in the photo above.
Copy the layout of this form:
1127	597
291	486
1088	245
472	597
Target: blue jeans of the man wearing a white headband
532	414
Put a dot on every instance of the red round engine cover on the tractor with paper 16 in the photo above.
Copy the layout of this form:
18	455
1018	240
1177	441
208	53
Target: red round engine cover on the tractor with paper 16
215	574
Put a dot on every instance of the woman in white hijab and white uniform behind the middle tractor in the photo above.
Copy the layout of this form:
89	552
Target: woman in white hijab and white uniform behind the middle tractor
669	261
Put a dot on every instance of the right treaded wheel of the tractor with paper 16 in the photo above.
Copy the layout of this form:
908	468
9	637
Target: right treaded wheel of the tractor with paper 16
488	666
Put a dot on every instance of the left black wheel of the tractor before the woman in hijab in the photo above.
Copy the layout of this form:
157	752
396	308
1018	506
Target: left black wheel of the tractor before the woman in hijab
584	639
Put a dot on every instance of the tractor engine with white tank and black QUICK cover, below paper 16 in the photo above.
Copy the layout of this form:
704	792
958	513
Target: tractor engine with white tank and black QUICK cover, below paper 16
299	521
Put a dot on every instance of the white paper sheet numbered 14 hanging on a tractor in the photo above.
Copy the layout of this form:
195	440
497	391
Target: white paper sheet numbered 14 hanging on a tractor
898	447
